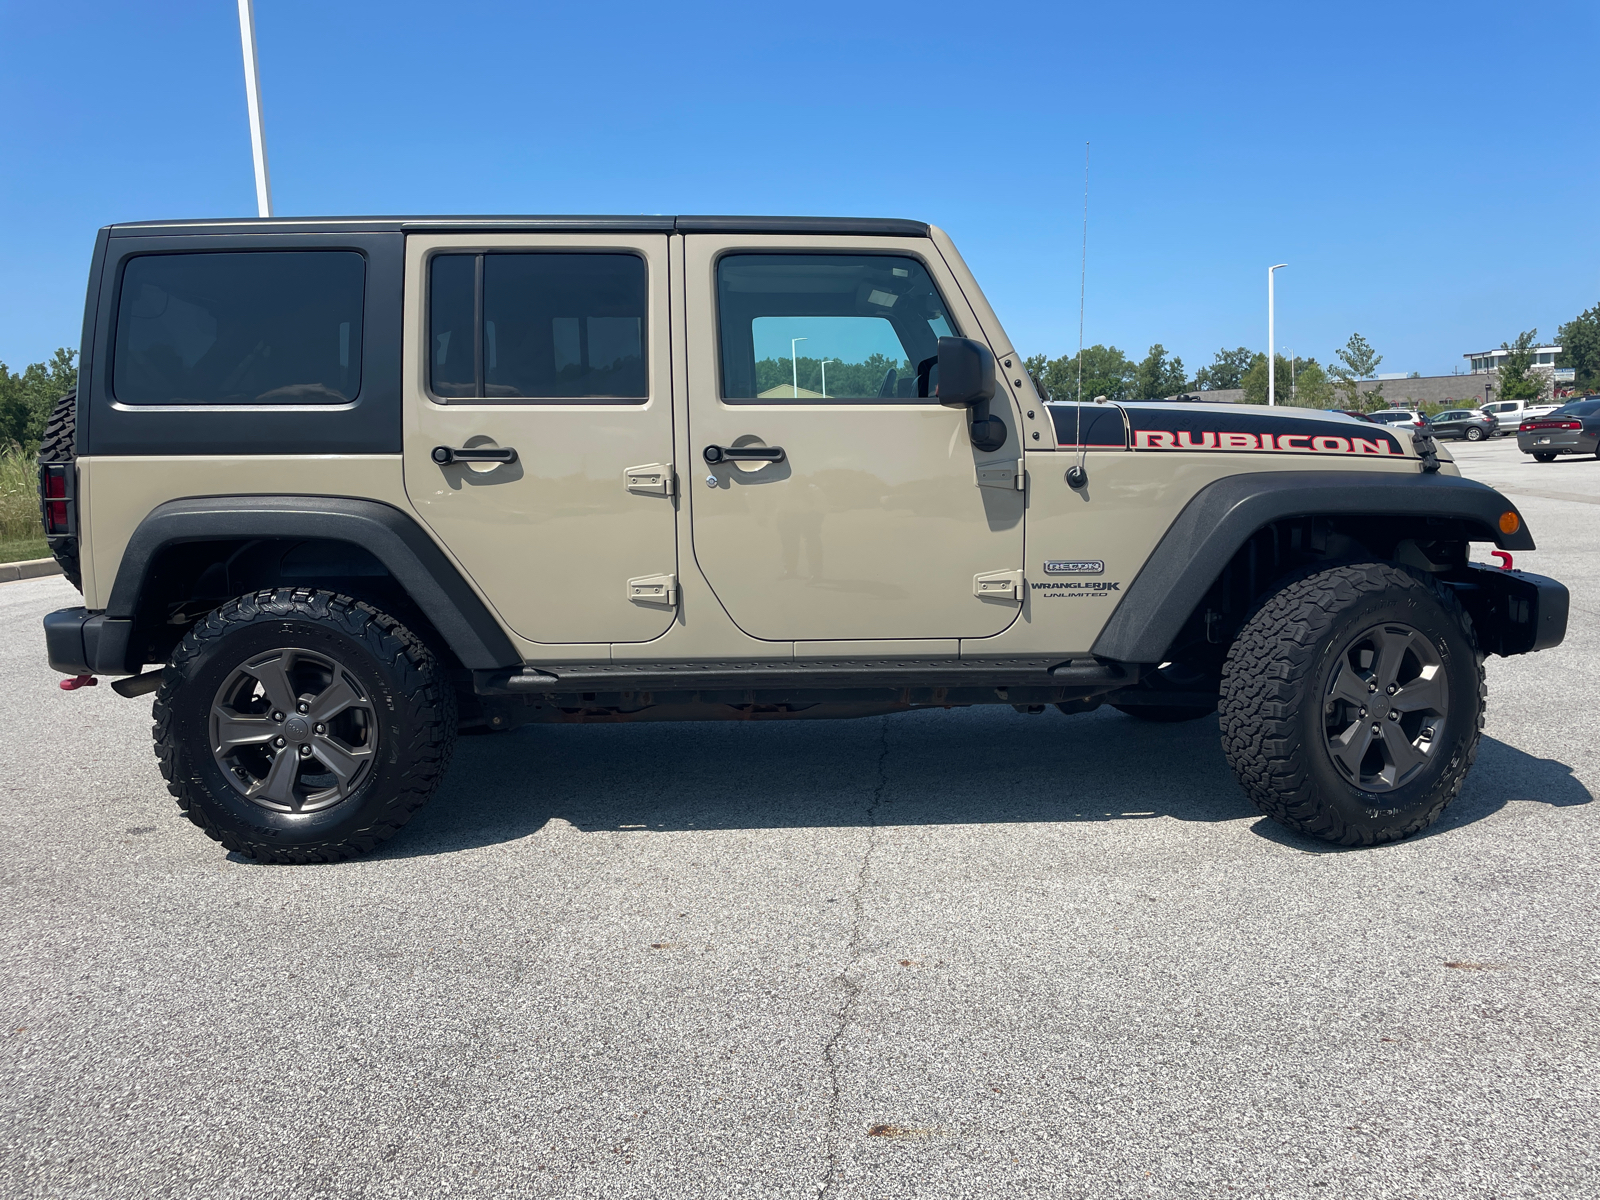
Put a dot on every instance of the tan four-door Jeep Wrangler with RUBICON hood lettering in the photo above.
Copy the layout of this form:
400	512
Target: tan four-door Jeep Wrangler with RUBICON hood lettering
353	486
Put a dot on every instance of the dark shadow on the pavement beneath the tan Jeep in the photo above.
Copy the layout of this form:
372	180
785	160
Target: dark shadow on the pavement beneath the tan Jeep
970	767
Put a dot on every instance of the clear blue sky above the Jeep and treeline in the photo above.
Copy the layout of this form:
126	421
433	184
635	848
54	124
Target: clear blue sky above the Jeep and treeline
1430	172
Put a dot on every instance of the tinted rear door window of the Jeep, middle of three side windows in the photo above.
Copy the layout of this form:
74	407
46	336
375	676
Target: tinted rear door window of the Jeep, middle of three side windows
538	327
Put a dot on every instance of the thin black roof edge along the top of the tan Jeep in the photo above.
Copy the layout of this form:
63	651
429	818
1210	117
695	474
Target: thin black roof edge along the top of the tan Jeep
874	226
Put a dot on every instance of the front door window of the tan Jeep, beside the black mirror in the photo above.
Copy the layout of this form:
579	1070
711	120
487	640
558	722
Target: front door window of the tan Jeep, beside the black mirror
826	327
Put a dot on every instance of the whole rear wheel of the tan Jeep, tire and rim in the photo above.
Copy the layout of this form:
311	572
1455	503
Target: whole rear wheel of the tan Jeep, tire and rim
297	726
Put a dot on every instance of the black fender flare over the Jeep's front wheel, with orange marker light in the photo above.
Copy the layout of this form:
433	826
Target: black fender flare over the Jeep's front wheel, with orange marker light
1223	516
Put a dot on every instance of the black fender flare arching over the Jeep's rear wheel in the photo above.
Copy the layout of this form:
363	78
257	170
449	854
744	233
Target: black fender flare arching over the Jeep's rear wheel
390	535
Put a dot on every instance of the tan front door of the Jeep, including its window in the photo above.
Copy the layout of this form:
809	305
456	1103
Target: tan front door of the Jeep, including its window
882	518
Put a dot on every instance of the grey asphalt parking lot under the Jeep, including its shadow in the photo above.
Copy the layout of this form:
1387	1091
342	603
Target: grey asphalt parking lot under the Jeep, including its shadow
942	956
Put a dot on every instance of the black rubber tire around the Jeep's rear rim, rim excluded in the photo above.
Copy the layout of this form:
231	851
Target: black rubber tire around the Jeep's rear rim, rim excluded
415	706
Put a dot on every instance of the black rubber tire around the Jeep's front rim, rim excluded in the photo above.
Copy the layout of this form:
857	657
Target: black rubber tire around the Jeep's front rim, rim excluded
1273	711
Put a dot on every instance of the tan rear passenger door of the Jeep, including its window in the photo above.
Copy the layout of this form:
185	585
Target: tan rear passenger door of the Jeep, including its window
553	351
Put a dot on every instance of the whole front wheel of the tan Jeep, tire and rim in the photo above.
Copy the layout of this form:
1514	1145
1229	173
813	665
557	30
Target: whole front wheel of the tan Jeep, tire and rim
1353	703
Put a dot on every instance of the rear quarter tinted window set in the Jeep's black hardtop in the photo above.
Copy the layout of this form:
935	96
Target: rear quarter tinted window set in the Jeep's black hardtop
236	329
